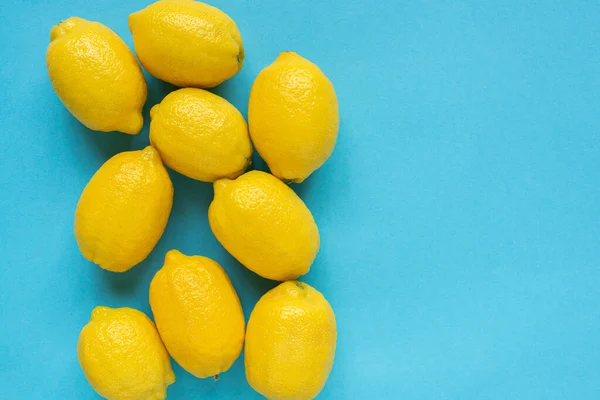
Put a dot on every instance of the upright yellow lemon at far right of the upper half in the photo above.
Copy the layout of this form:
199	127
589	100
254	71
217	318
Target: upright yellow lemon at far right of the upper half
293	117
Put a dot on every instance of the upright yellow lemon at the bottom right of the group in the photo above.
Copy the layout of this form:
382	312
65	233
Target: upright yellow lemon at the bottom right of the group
290	343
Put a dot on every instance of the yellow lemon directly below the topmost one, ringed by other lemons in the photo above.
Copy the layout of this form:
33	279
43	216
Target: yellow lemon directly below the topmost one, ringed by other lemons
200	135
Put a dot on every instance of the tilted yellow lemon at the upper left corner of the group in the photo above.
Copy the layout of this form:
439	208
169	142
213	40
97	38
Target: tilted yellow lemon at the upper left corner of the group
96	76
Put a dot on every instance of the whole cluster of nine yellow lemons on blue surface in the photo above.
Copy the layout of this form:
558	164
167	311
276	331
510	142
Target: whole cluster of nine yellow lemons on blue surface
293	123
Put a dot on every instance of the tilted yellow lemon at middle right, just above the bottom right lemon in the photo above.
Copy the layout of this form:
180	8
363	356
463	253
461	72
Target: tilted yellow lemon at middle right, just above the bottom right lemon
264	225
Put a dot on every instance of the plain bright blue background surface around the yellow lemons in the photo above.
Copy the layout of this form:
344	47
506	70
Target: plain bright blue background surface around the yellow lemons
459	213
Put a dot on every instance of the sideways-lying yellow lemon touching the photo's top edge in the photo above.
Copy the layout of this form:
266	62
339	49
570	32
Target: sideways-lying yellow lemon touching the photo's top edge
187	43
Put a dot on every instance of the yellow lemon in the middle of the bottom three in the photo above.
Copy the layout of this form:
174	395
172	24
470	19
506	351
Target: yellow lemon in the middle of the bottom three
198	314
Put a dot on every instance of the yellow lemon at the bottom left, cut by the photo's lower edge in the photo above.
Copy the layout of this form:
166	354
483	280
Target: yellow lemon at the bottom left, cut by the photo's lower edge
122	356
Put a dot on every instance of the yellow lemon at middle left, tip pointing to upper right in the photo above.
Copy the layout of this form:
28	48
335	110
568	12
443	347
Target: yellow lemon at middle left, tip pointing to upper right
124	209
